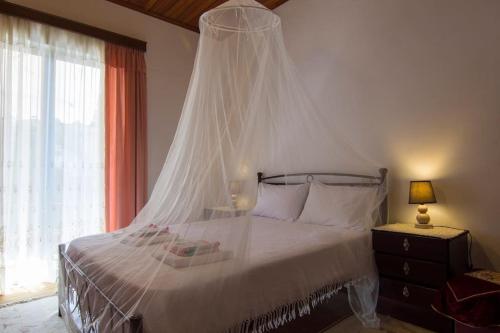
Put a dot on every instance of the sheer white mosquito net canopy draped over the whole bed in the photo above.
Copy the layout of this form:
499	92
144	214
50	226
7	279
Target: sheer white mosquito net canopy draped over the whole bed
199	257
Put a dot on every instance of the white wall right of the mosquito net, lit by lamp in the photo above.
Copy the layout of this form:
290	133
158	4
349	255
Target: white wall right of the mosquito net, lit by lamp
416	86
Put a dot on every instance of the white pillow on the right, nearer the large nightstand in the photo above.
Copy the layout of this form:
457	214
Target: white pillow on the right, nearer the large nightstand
339	205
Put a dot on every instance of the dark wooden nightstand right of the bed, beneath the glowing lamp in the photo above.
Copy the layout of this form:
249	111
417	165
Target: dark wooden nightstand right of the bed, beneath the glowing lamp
413	265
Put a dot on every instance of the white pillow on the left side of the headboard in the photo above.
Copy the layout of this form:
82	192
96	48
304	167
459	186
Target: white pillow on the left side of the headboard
283	202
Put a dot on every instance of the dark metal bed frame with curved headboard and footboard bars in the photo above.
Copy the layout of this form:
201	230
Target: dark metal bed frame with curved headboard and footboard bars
82	318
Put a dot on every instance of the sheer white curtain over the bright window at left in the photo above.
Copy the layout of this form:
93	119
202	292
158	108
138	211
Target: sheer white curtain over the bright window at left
51	146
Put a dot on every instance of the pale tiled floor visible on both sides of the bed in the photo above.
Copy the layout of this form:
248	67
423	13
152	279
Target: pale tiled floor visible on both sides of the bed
41	316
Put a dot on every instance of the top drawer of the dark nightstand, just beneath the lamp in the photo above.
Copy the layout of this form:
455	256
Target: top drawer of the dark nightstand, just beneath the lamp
427	248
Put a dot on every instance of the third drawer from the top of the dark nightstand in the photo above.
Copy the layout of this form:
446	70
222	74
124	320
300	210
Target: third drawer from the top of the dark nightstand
407	292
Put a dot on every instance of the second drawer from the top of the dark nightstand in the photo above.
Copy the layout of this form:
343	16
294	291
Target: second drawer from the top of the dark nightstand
416	271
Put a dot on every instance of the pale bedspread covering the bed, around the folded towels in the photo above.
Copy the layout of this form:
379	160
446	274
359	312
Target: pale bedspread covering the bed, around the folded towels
279	263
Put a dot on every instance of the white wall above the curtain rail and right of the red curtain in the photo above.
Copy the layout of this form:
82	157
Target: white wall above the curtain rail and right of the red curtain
169	59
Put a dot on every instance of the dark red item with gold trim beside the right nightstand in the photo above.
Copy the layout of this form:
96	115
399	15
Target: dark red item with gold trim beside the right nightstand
471	299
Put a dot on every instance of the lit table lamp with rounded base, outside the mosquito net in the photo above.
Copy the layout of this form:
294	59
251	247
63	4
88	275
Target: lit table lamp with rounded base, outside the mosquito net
421	192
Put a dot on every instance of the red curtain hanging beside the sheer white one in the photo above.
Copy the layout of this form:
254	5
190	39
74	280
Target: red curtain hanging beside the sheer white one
126	141
